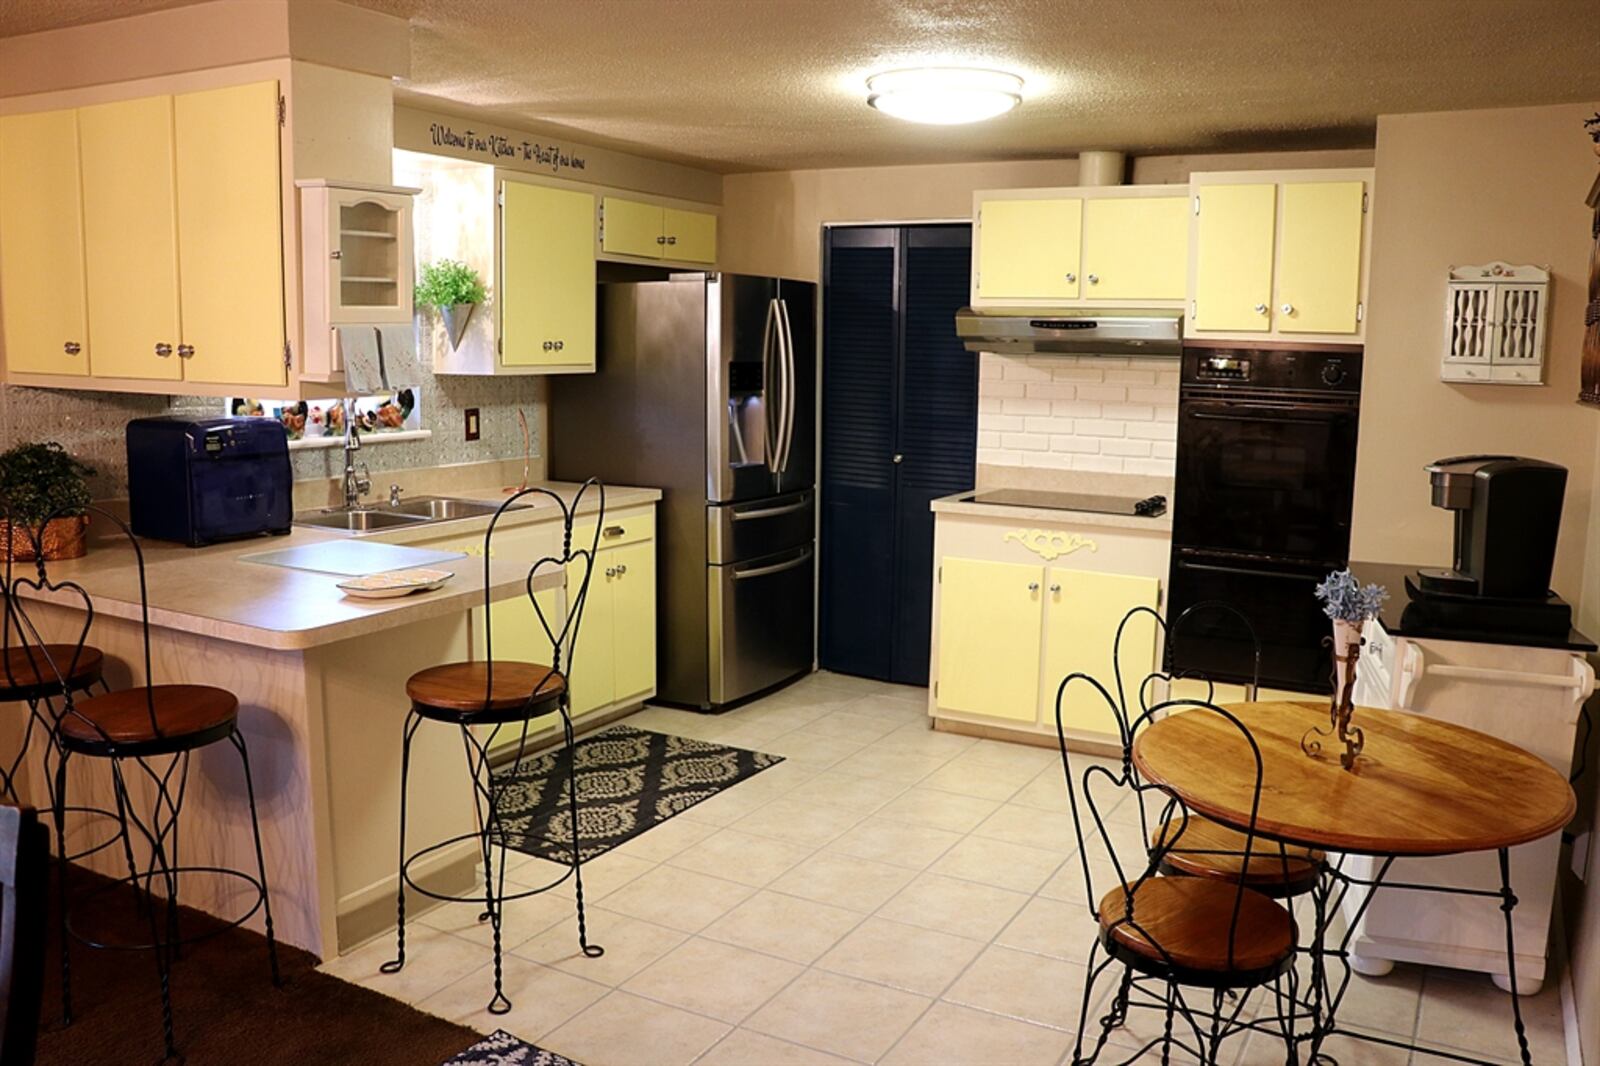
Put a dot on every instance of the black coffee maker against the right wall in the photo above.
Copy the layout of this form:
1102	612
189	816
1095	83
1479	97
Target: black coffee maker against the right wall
1508	516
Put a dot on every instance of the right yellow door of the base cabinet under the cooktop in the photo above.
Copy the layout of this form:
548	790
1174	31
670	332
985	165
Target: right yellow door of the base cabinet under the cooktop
1084	612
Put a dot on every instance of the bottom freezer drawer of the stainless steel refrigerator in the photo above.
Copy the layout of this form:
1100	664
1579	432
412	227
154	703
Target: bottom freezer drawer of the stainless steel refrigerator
761	623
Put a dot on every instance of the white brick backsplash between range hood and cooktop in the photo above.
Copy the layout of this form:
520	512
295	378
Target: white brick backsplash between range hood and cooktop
1078	414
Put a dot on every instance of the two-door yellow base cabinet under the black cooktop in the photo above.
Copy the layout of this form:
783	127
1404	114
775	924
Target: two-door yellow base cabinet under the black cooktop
1018	607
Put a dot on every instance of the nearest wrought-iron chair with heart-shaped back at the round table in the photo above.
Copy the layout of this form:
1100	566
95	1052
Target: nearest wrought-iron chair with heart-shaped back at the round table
1174	936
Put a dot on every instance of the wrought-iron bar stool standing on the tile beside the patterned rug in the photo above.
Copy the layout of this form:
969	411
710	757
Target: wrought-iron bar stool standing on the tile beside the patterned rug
502	694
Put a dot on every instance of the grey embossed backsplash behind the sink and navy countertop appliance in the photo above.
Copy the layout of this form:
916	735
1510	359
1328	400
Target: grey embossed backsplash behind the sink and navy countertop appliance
90	427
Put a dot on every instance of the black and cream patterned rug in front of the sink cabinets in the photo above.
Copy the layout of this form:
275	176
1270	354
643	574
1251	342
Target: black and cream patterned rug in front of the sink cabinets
628	782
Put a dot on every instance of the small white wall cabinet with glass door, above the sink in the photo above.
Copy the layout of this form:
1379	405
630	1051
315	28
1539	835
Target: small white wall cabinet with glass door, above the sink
358	266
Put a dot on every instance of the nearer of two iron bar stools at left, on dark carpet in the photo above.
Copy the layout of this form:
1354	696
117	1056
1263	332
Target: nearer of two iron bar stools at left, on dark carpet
135	731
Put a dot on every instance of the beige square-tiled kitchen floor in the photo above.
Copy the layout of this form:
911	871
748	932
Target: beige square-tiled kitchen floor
886	896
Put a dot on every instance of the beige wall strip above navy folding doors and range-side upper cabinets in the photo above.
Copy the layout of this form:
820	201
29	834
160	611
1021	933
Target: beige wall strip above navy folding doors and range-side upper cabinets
772	222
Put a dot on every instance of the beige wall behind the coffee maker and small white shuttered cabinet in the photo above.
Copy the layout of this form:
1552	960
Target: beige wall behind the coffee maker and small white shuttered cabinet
1462	188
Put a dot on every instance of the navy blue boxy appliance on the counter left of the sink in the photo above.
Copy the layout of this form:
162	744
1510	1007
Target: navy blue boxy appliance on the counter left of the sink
210	479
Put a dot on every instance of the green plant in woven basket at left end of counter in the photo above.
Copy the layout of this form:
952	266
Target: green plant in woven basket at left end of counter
44	502
